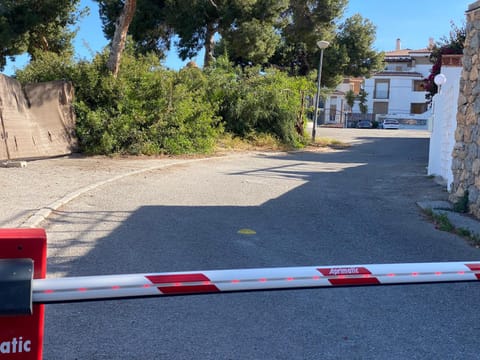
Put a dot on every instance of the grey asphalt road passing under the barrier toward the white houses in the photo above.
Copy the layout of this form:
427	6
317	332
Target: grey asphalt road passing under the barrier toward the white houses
352	206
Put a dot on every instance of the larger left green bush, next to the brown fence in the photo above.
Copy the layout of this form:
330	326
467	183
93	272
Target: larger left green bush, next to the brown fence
147	109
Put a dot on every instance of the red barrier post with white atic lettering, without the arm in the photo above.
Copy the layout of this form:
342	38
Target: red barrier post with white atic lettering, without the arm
21	334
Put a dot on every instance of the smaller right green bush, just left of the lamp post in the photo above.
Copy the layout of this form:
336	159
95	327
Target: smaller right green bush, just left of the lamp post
254	102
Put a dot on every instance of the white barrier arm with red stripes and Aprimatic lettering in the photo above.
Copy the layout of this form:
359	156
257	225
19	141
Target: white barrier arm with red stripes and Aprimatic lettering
214	281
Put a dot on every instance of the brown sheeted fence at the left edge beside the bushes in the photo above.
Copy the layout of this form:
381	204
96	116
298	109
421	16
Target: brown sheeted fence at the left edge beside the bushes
37	120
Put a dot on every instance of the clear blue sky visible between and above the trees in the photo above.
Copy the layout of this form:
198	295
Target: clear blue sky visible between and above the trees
413	21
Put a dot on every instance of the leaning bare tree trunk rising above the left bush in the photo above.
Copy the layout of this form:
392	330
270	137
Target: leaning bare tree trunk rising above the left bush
120	36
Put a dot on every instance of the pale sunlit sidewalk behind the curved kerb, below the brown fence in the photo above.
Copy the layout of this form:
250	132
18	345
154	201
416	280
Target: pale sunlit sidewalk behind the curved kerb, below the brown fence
29	194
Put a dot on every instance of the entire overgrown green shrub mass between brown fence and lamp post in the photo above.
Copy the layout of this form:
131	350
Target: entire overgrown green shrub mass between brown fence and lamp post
149	109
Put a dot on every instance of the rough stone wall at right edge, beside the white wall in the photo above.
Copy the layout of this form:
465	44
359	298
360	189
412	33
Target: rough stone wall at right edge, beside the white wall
466	153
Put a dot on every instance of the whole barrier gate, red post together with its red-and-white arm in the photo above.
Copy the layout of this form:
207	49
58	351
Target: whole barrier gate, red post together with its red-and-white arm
24	288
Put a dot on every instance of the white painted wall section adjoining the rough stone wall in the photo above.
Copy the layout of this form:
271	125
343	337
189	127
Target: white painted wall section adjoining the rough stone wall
444	124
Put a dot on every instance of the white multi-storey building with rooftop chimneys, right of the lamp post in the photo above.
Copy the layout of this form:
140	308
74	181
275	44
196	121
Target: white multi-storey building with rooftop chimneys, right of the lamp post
398	91
